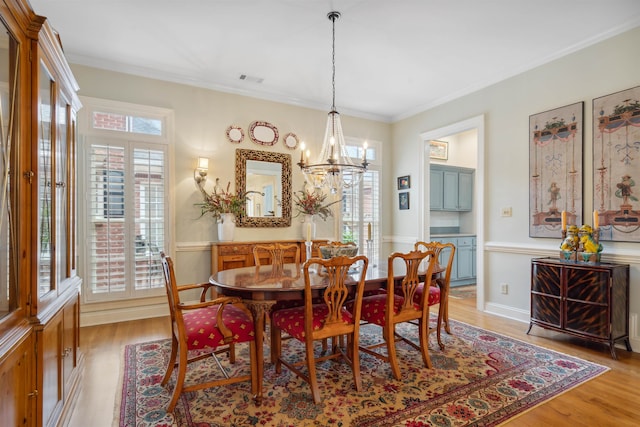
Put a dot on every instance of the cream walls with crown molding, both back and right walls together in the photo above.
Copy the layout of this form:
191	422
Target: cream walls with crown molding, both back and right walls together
201	117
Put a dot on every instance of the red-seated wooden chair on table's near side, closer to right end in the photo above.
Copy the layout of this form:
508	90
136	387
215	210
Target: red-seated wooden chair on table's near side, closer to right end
399	305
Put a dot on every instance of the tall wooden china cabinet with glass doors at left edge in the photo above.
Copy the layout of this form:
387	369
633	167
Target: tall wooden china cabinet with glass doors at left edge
40	358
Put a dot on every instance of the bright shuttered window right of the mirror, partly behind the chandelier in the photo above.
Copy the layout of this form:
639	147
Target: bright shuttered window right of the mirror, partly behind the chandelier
361	204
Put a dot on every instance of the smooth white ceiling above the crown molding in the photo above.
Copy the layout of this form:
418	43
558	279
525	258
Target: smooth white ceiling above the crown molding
393	58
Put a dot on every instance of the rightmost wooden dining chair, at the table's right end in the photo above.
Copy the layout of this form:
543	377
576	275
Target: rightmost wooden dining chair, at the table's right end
439	294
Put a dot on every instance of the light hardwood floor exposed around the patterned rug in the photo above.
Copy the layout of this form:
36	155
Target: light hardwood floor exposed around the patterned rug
608	400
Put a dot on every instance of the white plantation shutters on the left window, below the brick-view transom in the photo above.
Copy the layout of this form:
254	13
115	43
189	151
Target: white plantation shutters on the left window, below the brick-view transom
126	219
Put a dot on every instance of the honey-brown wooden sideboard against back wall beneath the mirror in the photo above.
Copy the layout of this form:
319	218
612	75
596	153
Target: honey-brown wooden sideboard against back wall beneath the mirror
226	255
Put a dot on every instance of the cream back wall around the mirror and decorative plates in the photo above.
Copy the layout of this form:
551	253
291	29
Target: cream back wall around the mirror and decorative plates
201	119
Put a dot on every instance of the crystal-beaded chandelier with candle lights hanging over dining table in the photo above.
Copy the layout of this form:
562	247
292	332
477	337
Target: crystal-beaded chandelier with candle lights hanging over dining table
334	167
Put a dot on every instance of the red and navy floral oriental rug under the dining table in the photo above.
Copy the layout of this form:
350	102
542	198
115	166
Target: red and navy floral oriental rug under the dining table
480	379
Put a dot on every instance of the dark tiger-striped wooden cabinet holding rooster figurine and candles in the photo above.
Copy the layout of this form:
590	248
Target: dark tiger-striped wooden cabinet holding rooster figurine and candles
588	300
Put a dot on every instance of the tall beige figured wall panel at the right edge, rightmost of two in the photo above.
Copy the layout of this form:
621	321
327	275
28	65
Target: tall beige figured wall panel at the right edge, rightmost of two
616	165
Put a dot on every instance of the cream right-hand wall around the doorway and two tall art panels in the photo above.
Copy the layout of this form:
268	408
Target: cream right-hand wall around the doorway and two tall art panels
604	68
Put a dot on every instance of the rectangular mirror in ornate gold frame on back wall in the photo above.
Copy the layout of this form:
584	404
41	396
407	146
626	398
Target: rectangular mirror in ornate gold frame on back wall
266	177
